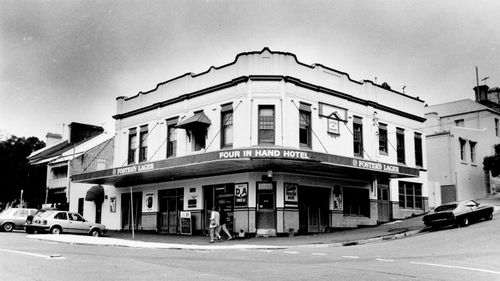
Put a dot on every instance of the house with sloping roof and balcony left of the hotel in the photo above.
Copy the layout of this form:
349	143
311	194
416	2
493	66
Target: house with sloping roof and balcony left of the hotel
56	158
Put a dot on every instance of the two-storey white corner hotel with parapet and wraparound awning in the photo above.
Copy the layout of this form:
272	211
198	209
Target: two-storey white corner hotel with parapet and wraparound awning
282	146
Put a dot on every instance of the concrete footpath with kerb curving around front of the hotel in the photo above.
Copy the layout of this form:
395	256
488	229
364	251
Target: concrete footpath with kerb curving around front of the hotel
393	230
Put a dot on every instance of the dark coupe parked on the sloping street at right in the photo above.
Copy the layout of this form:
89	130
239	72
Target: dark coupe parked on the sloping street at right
458	213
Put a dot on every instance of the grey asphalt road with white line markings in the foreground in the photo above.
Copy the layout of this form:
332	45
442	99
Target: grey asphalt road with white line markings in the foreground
470	253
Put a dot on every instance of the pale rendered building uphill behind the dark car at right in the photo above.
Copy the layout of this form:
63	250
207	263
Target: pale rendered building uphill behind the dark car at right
459	135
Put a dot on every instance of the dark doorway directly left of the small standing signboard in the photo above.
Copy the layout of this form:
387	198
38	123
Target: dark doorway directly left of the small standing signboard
171	203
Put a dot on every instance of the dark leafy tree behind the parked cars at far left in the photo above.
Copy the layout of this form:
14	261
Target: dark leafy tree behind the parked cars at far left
17	174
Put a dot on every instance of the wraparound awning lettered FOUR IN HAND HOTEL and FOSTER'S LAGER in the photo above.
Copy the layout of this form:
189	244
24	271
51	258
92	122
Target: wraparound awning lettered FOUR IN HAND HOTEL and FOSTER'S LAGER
246	160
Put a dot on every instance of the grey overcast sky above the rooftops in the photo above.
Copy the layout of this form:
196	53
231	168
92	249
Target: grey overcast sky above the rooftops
67	61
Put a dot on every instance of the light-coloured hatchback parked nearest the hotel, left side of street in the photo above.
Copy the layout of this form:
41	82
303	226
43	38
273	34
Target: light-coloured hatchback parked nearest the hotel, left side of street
57	222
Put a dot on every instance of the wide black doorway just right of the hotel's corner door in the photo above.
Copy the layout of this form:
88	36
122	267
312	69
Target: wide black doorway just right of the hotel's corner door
314	204
